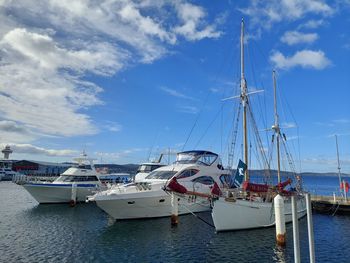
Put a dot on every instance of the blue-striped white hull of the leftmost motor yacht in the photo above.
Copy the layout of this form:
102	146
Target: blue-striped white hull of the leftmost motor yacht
59	193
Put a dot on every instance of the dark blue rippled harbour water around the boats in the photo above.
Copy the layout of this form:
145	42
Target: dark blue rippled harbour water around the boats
58	233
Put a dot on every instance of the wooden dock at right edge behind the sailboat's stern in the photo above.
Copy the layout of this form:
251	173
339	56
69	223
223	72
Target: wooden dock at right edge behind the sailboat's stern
330	204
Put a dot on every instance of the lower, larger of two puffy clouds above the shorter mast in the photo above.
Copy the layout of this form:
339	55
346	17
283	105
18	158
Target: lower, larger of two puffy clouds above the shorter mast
304	59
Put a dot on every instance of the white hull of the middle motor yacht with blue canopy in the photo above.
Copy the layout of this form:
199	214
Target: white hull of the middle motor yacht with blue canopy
150	204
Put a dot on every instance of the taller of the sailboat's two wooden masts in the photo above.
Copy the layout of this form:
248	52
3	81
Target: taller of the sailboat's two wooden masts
244	99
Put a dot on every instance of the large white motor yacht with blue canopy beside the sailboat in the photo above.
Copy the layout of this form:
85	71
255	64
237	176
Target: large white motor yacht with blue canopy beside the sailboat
195	170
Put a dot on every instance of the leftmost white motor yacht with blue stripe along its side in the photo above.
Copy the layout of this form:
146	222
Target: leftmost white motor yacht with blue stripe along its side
74	185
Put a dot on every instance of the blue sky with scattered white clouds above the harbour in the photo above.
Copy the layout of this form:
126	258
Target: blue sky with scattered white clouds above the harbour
127	80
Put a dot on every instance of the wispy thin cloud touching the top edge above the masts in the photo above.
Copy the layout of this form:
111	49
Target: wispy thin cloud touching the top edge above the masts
264	14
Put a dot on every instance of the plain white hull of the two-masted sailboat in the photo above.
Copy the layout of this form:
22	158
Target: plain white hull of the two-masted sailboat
245	214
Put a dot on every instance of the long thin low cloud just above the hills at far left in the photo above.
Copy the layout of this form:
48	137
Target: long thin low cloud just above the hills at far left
31	149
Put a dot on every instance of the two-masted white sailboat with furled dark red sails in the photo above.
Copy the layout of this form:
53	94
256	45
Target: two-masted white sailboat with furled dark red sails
251	205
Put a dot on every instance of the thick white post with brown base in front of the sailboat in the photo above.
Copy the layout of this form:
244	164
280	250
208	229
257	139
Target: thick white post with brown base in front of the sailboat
280	220
